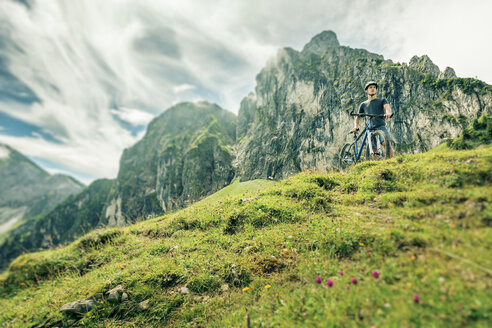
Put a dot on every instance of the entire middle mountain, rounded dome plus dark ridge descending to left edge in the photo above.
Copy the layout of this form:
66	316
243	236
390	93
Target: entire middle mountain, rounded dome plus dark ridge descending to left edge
185	155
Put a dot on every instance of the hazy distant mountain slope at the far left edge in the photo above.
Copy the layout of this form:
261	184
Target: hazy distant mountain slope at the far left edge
26	190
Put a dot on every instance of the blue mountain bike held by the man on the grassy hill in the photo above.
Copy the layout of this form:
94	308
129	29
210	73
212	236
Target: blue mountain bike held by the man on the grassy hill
352	154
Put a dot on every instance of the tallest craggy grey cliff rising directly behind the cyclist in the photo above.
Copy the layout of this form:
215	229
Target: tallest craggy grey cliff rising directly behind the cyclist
298	116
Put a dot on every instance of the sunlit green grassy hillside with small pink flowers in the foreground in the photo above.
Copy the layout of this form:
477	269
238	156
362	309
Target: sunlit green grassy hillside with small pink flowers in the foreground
422	221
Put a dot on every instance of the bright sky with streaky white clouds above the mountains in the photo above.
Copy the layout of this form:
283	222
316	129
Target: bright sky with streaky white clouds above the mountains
79	80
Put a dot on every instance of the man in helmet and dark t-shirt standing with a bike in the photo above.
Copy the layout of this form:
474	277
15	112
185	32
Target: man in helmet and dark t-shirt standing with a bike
377	106
